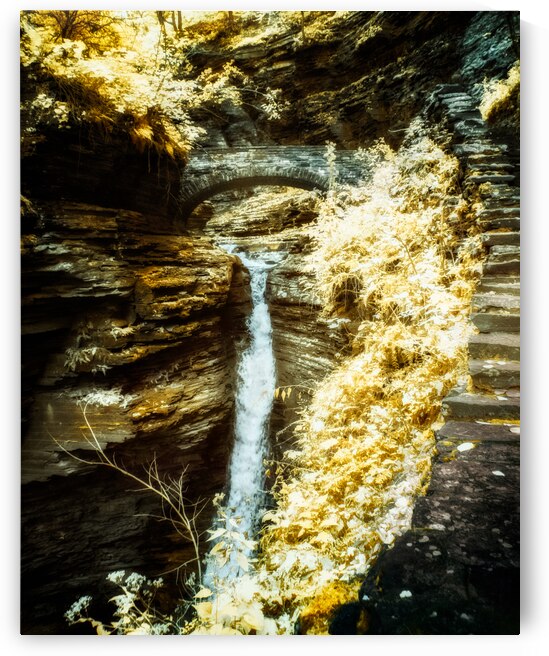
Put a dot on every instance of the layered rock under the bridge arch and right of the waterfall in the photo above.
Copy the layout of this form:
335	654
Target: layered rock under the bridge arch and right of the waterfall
306	344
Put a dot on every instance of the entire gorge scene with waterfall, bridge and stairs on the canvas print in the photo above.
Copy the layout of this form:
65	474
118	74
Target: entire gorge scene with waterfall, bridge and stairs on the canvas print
270	322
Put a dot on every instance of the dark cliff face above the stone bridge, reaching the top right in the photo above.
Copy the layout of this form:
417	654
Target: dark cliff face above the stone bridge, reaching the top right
366	76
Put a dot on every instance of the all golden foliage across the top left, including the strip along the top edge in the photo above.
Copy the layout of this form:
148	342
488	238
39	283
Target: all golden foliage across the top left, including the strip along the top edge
125	71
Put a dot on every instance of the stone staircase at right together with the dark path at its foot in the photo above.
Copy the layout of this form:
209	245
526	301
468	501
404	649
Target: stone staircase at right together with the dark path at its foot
456	571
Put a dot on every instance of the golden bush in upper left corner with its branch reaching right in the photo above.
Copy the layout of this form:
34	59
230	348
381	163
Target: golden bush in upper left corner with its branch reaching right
116	81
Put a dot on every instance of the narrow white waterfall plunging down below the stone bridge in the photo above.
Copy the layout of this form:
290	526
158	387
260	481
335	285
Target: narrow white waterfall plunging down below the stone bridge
256	385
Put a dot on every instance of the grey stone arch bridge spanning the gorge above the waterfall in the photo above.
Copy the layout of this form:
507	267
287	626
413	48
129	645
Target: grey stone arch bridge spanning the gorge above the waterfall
214	170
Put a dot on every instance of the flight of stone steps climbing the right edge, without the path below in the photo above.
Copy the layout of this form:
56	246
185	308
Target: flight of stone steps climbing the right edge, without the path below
493	392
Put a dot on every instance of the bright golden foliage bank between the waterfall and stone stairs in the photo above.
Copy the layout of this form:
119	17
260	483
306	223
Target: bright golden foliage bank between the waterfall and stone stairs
391	260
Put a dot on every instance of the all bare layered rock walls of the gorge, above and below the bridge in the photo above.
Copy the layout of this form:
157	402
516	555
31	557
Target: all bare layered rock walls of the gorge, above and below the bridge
134	318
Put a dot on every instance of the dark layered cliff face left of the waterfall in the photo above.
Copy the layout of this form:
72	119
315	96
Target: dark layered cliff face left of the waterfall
130	327
